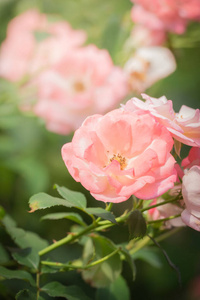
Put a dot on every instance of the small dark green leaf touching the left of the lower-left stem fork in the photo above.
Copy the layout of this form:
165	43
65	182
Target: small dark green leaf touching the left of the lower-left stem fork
28	257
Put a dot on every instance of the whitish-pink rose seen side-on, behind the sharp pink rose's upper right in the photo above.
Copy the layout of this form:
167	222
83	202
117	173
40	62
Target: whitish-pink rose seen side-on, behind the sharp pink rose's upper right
184	125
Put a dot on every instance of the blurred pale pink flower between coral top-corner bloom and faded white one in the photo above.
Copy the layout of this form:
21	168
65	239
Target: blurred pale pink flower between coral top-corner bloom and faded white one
142	36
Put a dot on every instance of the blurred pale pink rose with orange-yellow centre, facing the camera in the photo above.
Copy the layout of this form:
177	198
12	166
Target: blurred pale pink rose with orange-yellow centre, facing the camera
82	83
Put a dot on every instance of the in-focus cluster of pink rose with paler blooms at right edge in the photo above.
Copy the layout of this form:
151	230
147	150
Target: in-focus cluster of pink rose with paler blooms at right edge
128	152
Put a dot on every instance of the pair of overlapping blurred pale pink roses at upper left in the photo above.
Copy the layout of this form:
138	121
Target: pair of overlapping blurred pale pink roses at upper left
60	80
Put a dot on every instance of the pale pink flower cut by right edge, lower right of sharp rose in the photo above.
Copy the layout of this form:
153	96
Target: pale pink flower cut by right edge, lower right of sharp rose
191	196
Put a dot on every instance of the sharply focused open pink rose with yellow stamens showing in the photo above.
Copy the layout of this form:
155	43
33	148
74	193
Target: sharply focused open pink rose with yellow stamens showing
120	154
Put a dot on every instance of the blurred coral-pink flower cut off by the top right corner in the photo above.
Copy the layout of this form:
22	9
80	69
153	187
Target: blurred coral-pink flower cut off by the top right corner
169	15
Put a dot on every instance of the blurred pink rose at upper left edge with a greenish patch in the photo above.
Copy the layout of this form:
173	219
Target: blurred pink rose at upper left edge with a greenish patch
33	42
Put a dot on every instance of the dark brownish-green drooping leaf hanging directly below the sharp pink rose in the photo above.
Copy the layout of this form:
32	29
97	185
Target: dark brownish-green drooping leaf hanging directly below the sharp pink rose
136	224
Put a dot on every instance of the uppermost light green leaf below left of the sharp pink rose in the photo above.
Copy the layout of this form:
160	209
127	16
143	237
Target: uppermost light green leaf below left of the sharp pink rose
76	199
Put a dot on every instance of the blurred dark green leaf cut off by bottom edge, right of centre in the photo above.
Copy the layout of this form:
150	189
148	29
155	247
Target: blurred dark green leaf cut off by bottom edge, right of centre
118	290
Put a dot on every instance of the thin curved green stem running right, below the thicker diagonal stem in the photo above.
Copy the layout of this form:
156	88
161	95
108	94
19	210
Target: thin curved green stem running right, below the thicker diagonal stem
97	262
